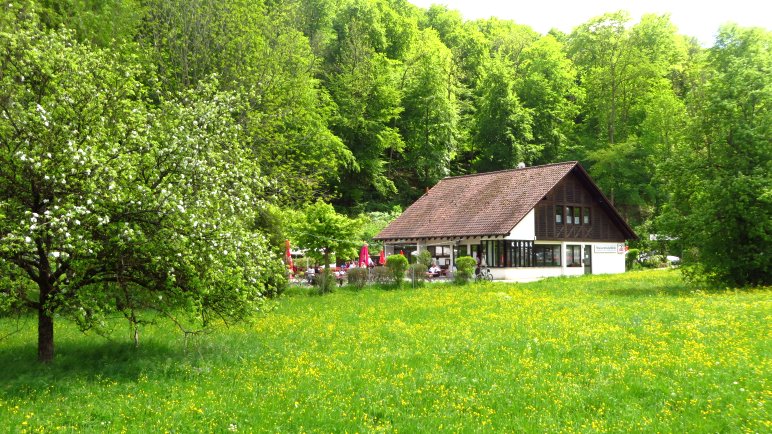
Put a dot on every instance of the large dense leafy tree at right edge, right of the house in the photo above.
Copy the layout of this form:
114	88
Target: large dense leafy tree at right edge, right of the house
721	179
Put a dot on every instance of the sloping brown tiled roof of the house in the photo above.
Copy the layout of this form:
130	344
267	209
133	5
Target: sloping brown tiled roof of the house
474	205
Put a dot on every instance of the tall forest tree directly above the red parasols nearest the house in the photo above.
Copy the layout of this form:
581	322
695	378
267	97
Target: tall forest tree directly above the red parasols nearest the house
362	81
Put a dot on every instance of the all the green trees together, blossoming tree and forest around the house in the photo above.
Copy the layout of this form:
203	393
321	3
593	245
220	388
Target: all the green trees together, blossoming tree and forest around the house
165	142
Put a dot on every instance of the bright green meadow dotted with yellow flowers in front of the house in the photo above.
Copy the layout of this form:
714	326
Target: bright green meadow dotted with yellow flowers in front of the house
635	352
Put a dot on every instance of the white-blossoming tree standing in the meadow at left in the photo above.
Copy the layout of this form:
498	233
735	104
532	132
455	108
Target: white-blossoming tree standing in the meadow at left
111	203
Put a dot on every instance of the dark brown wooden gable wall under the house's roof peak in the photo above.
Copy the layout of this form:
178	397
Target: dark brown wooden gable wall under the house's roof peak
573	193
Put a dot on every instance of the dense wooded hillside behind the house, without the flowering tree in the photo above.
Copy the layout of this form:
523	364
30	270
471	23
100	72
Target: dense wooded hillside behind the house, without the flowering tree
367	102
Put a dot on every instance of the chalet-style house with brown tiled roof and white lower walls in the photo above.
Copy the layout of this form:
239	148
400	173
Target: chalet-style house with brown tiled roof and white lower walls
524	223
